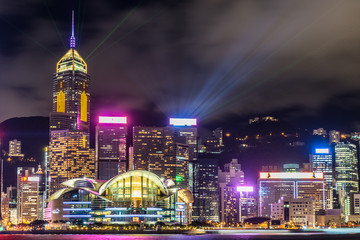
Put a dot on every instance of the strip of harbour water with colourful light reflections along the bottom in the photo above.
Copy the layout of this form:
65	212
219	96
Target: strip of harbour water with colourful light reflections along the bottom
240	236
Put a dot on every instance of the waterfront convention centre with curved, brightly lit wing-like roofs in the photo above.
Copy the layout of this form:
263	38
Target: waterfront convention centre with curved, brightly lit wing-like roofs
134	196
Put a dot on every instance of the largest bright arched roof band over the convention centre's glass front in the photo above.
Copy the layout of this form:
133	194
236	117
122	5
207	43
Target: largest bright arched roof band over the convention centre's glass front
151	176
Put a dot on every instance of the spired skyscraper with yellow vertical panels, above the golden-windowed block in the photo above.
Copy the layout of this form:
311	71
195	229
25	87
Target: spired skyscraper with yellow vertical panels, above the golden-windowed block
71	92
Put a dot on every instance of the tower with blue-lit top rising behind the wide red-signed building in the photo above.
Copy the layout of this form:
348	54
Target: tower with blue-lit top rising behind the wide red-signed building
321	161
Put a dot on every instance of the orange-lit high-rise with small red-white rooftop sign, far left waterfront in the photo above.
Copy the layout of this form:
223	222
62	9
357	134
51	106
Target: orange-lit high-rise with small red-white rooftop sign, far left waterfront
27	195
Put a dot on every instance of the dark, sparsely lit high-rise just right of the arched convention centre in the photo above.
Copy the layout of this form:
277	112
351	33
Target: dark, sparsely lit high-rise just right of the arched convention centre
208	201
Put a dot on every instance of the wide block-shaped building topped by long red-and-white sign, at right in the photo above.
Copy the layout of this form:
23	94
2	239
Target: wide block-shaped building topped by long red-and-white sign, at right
274	185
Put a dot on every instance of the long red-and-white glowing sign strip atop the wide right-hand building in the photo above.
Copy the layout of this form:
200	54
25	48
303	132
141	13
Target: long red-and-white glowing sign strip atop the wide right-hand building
291	175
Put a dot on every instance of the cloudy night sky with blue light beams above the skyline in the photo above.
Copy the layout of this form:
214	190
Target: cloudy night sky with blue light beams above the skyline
216	60
